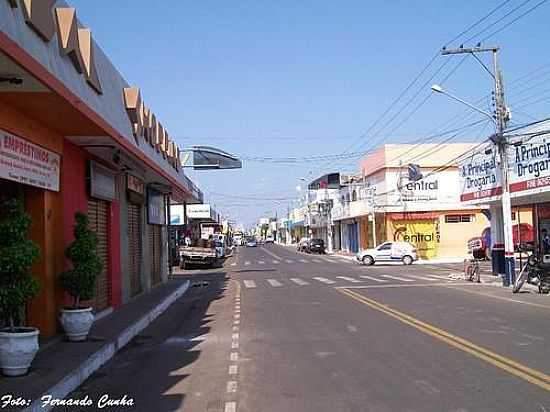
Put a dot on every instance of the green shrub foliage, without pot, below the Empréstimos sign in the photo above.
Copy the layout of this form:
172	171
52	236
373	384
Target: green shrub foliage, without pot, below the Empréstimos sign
17	254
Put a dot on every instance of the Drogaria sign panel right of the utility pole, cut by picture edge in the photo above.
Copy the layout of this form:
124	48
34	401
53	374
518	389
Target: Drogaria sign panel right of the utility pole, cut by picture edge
529	163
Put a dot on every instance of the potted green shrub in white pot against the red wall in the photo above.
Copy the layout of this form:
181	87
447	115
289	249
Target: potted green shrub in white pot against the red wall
79	282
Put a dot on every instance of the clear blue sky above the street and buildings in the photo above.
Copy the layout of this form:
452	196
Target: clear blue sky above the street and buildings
304	78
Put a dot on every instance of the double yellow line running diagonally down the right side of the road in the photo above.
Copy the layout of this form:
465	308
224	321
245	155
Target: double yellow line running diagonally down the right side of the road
530	375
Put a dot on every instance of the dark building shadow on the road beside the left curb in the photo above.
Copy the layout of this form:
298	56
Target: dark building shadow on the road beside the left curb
150	369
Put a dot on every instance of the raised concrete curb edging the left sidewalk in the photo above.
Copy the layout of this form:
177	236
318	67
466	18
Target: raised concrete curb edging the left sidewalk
75	378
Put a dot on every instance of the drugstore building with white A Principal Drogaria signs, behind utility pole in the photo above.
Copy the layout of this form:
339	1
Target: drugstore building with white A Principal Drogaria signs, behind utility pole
528	153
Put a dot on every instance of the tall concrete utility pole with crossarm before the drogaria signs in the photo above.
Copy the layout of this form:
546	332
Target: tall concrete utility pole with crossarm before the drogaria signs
501	117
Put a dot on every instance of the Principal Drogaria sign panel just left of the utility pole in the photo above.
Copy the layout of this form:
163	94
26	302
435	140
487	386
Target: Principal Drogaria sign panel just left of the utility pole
480	176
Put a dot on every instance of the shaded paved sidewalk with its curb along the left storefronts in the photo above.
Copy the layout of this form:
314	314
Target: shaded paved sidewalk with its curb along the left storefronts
61	367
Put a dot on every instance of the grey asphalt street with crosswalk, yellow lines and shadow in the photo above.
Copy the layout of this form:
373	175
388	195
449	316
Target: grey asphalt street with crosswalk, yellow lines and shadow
280	331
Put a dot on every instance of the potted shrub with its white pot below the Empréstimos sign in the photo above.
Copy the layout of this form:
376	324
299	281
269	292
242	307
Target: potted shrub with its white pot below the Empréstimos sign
18	344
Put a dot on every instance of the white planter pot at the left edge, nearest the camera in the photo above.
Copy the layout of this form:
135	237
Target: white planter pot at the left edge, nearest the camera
17	350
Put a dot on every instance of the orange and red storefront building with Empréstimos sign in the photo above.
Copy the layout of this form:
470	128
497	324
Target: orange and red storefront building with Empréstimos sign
76	137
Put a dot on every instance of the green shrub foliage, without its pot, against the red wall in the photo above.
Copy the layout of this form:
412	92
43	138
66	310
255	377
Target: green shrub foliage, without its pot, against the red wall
79	281
